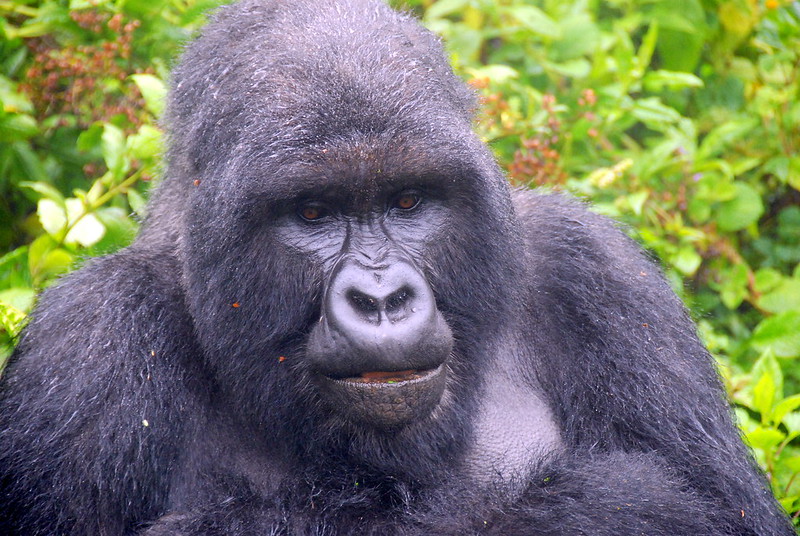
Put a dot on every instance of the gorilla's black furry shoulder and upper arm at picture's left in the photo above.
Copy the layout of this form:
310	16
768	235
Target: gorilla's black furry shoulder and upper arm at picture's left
94	400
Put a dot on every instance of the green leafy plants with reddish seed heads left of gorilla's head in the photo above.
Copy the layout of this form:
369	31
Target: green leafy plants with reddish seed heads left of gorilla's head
81	88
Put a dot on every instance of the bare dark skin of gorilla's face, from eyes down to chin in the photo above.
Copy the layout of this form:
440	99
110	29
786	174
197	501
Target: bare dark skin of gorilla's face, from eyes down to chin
379	353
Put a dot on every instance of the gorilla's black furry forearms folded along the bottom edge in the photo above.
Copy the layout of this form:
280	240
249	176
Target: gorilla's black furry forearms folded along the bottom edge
602	495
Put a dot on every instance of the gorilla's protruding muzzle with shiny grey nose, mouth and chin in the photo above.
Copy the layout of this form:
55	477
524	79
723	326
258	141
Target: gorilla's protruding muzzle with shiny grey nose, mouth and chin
379	353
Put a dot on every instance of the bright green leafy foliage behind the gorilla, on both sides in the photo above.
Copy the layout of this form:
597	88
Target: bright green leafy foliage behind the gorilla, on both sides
680	118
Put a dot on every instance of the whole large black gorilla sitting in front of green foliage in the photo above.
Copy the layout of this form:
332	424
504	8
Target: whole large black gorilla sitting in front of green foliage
338	318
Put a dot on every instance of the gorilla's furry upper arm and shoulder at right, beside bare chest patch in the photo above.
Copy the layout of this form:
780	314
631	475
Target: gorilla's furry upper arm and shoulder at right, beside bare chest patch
622	368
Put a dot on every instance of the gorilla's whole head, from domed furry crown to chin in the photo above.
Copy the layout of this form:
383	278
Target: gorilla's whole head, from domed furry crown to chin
344	233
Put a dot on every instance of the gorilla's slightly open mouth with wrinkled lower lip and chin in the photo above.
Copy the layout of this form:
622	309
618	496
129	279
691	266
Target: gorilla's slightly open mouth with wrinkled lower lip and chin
385	399
